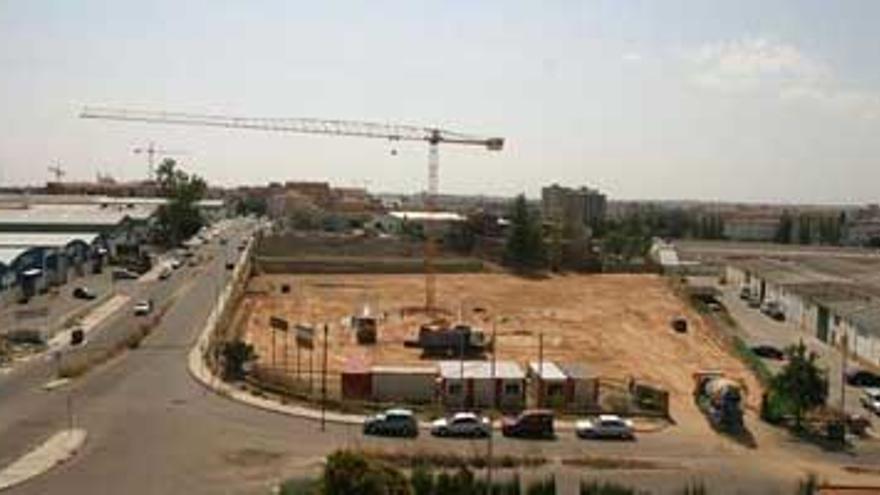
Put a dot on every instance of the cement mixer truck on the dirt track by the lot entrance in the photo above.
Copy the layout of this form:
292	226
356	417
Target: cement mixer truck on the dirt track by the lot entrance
720	398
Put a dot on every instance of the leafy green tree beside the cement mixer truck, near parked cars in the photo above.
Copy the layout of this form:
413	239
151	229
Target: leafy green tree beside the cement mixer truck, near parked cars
801	383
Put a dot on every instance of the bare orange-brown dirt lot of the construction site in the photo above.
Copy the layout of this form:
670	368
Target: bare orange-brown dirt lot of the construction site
618	325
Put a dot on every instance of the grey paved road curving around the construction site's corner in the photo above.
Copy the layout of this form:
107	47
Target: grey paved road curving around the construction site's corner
153	430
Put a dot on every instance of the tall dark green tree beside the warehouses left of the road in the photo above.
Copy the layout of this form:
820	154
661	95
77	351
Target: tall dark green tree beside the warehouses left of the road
180	217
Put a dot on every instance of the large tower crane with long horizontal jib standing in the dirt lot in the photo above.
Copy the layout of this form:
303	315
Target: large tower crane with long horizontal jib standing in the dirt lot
392	132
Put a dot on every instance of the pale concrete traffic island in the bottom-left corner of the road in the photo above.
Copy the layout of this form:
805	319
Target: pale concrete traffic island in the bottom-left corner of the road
59	448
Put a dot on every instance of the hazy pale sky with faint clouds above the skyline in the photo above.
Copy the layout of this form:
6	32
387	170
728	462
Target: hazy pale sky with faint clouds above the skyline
771	101
